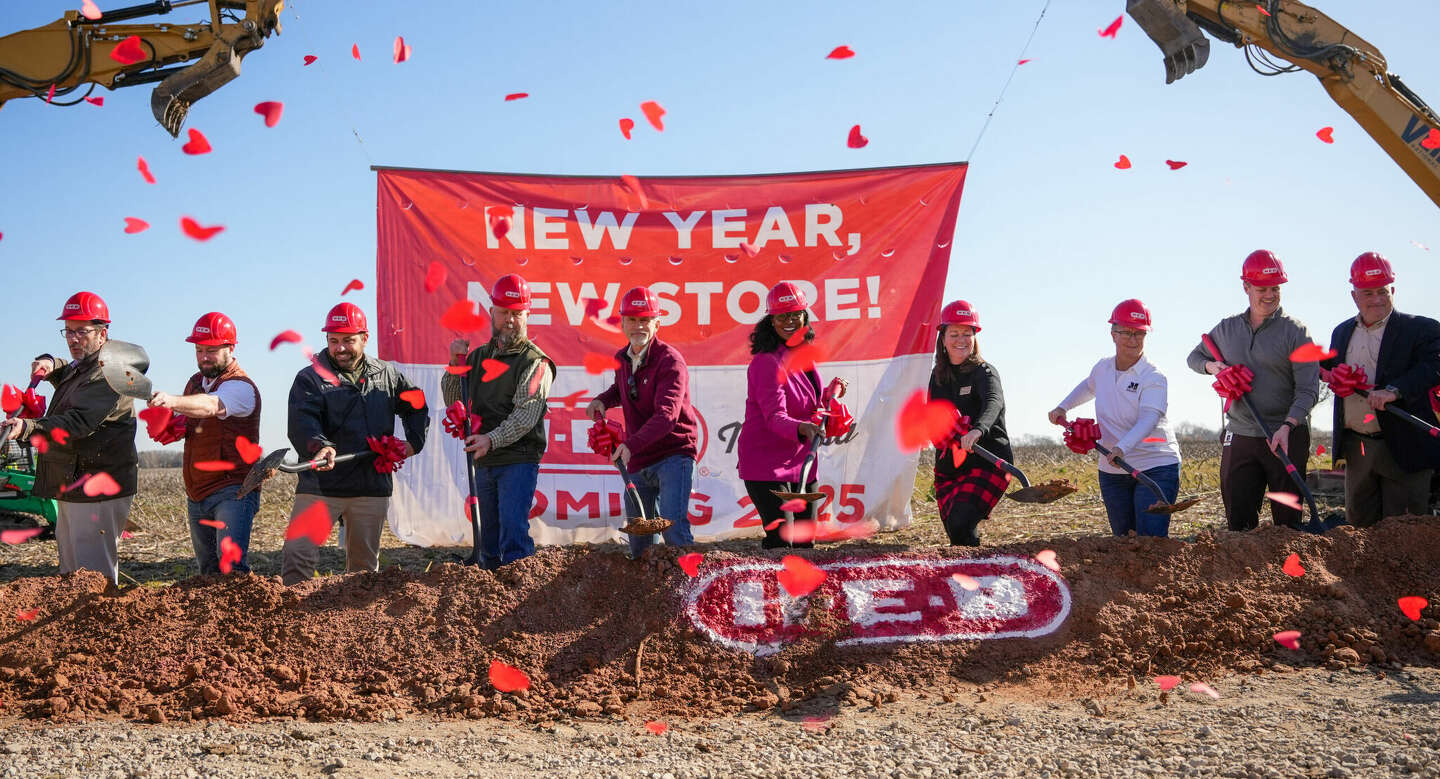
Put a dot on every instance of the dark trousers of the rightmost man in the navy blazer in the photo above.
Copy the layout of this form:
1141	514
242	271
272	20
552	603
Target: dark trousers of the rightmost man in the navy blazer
1376	487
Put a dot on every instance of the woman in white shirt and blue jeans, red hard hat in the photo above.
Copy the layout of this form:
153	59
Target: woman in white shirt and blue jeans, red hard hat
1130	404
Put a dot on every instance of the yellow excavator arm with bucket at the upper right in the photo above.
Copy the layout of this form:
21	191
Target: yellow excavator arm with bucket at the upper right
1353	71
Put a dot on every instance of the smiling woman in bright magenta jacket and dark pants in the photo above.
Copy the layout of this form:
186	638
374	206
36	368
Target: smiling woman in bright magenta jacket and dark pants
780	413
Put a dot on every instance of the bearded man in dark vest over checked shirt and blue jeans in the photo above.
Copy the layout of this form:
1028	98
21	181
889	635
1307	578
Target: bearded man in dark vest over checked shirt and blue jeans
512	408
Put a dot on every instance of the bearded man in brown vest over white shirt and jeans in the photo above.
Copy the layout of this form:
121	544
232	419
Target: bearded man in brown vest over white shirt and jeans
221	407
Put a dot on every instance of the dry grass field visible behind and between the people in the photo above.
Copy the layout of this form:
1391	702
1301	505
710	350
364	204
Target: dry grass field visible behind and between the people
161	554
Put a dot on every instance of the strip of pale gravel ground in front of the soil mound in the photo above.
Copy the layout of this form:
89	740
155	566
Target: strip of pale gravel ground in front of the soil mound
1295	724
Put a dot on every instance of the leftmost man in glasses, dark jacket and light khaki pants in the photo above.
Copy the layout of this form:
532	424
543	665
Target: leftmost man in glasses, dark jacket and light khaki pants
89	431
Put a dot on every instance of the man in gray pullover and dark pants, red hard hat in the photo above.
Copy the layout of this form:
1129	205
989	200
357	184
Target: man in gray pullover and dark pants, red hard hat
1262	341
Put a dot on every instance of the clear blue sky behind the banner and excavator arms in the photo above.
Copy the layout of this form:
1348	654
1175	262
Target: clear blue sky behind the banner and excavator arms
1050	235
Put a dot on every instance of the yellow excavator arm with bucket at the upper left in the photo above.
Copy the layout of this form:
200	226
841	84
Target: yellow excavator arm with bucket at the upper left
76	51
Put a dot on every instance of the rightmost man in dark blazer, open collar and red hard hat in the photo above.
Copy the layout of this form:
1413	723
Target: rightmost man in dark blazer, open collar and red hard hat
1389	463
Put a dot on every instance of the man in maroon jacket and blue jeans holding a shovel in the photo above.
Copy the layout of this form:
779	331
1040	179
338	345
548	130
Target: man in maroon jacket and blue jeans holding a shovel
663	433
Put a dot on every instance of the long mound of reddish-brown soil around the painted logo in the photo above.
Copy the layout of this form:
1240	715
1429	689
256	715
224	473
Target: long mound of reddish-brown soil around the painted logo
584	621
